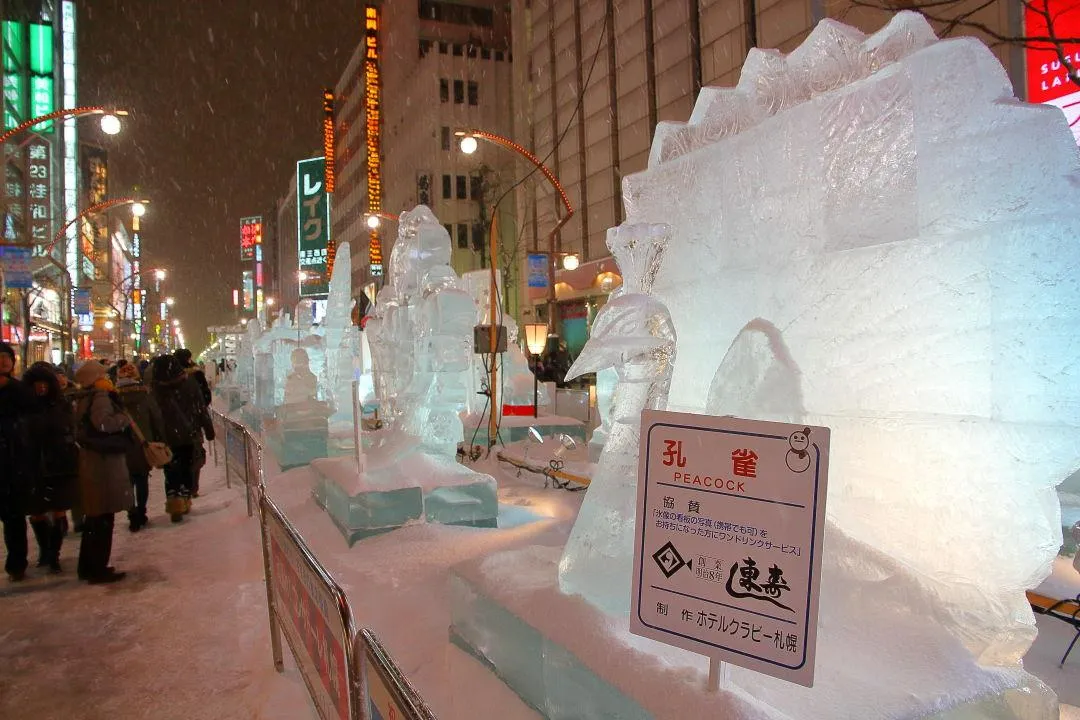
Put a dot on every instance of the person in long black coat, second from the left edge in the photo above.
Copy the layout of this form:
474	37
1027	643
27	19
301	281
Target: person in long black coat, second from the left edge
52	463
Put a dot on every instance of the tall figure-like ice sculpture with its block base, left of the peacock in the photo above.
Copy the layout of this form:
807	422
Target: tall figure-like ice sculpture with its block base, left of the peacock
421	337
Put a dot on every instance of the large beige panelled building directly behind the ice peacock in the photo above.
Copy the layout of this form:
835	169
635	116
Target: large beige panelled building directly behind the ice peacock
595	77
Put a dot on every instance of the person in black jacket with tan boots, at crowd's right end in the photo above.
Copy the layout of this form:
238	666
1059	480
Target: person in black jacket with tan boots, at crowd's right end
186	418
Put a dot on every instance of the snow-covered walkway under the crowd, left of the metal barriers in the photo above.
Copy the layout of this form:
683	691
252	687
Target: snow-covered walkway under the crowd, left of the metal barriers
184	636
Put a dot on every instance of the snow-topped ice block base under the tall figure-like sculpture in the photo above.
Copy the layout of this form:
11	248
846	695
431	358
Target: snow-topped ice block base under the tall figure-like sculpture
388	496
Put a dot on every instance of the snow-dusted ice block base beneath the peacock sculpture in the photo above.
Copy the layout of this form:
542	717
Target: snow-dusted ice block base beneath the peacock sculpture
568	659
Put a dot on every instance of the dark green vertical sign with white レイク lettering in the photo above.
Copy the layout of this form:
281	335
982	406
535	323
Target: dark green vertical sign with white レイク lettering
313	226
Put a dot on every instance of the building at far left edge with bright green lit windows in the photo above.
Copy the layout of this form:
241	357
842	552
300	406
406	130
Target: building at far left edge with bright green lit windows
42	180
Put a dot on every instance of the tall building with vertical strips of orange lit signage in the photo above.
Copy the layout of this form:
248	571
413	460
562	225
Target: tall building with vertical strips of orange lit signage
422	73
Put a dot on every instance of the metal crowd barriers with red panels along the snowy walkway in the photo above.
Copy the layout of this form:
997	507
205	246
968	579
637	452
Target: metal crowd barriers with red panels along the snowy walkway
348	673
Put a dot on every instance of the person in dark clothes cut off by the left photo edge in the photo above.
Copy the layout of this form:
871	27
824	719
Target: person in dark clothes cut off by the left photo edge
13	404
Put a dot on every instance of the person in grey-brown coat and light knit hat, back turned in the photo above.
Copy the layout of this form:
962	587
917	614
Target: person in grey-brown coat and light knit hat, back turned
102	429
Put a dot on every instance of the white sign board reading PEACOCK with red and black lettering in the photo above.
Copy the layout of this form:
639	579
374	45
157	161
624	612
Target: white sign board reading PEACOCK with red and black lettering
727	558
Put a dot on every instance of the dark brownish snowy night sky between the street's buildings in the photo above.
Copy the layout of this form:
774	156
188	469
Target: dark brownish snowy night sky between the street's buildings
226	97
